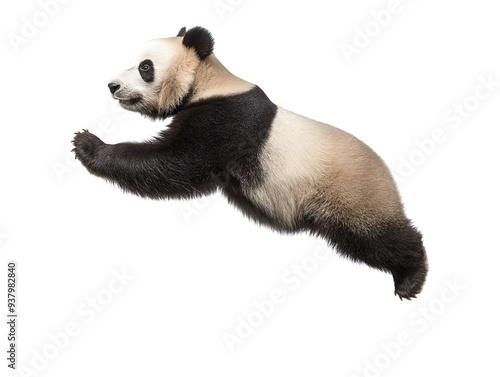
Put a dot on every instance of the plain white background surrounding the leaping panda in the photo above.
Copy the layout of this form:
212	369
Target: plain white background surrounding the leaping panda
198	266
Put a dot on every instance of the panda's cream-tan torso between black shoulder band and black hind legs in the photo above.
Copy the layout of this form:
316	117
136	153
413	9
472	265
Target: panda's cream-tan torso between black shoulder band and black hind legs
311	168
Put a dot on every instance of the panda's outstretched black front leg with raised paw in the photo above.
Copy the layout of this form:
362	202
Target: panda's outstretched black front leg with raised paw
146	169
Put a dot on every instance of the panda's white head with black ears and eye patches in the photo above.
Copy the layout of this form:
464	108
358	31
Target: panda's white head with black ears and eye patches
162	76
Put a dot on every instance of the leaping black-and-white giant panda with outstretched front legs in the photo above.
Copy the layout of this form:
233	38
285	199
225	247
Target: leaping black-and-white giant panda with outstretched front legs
279	168
